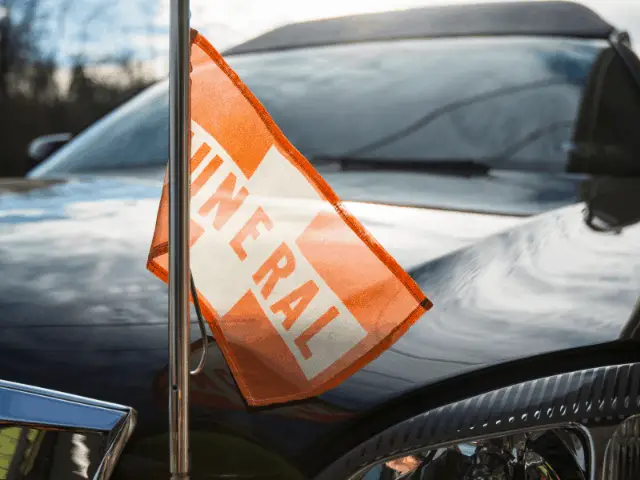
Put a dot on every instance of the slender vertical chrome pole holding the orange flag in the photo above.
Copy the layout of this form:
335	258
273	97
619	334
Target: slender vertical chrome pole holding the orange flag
179	52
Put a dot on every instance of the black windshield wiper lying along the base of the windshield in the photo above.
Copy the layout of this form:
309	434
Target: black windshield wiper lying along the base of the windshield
440	166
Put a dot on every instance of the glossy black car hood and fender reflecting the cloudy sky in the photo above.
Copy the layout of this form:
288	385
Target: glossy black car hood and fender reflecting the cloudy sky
80	313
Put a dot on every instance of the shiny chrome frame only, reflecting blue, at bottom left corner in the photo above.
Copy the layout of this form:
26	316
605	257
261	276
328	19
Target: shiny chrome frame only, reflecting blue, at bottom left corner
29	406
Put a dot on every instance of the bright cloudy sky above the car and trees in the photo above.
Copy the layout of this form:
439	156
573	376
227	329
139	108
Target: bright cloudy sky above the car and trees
98	29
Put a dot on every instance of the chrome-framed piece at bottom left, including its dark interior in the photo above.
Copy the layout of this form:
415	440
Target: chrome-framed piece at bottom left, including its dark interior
48	434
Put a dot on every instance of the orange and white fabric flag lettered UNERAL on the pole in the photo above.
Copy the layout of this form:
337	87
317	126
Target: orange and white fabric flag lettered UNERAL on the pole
298	295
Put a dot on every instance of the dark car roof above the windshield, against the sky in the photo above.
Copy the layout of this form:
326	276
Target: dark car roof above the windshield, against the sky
542	18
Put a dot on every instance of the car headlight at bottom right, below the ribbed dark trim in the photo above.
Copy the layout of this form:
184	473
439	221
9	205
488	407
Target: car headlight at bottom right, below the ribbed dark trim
564	453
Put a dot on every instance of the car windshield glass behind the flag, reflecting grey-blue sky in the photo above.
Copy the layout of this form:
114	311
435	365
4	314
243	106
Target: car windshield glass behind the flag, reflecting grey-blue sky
510	103
